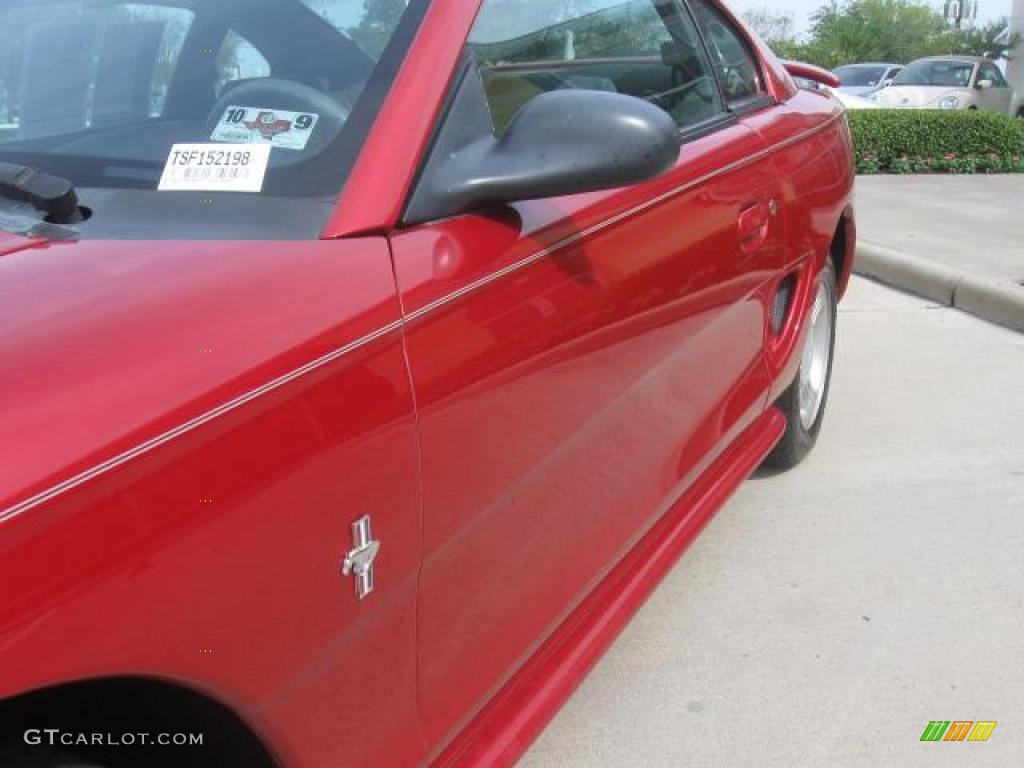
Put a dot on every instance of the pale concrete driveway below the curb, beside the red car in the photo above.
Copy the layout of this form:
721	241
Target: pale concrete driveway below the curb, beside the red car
828	615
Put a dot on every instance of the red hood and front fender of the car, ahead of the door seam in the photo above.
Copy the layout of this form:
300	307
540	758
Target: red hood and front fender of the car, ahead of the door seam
267	385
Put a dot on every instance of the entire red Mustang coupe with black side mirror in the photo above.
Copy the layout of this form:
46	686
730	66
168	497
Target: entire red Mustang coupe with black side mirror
356	442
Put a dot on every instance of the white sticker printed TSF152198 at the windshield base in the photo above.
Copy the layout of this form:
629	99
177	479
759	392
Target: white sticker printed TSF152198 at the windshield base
216	168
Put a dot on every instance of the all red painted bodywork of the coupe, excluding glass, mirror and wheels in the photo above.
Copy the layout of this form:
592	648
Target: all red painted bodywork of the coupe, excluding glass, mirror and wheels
540	408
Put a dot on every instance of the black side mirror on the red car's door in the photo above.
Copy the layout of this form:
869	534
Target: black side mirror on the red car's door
561	143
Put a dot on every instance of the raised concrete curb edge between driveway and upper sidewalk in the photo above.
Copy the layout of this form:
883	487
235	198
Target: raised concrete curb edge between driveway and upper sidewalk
999	302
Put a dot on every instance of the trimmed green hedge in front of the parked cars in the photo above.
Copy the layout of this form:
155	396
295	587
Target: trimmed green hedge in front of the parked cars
934	142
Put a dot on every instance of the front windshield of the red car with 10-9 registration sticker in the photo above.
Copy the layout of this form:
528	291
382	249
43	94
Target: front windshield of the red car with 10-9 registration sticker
100	91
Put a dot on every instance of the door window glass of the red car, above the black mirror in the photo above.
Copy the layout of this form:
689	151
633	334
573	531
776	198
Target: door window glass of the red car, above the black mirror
644	49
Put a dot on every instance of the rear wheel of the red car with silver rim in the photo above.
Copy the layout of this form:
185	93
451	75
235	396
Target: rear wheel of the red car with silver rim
804	403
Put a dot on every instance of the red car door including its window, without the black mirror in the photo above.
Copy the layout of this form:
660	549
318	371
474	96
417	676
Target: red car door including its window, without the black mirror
577	361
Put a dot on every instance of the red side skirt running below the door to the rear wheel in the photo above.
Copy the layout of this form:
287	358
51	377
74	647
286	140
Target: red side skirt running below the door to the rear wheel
507	727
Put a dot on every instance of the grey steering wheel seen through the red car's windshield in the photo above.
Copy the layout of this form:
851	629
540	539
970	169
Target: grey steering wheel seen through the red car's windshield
268	95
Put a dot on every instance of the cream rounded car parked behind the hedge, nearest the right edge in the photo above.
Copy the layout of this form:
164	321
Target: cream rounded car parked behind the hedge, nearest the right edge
952	83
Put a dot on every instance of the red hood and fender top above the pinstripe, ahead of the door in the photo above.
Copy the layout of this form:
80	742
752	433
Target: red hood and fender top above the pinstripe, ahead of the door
162	333
